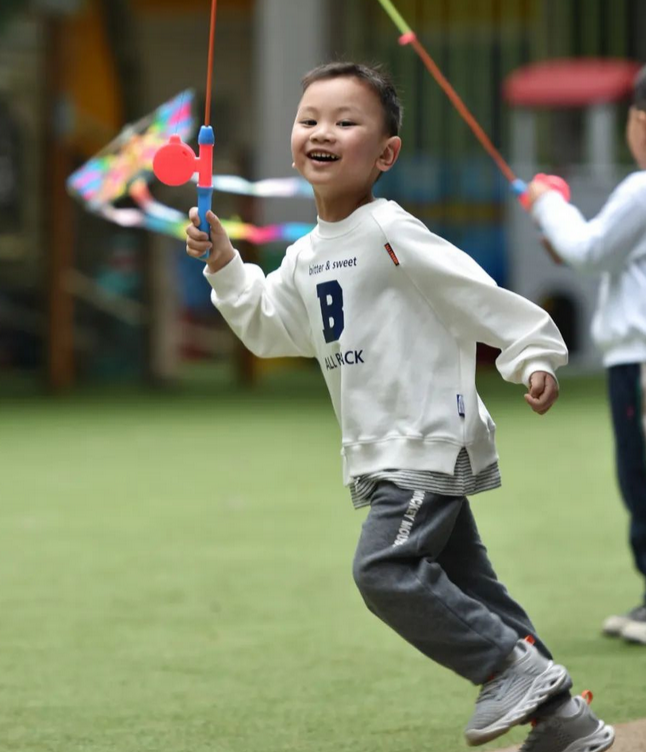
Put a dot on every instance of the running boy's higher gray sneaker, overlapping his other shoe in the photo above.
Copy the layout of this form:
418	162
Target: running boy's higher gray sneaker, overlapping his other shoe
511	696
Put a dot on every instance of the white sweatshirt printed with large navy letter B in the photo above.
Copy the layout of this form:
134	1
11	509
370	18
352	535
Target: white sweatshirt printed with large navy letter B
392	313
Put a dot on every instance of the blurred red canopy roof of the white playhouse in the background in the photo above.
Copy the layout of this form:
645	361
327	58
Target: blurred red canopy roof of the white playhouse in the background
575	82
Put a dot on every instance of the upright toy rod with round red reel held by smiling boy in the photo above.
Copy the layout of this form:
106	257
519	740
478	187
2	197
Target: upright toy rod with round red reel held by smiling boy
175	163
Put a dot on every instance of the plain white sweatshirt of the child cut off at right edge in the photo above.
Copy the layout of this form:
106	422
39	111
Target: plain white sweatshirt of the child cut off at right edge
613	245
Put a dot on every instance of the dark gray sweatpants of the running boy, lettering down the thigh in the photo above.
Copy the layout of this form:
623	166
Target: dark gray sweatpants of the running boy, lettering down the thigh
422	569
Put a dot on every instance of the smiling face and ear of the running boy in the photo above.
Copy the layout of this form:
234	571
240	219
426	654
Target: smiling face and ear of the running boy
339	139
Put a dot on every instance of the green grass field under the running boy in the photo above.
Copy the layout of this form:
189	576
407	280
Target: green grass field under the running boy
176	574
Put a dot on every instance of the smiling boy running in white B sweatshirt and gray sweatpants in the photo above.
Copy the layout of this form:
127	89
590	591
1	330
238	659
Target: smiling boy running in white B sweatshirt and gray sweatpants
393	313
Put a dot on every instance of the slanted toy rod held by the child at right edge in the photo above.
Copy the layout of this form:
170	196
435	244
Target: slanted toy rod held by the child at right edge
518	186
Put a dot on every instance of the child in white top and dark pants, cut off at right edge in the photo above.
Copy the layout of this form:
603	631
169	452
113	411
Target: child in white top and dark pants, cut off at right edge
613	245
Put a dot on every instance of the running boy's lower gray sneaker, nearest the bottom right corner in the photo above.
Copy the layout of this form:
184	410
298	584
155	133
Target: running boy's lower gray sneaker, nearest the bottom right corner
581	732
